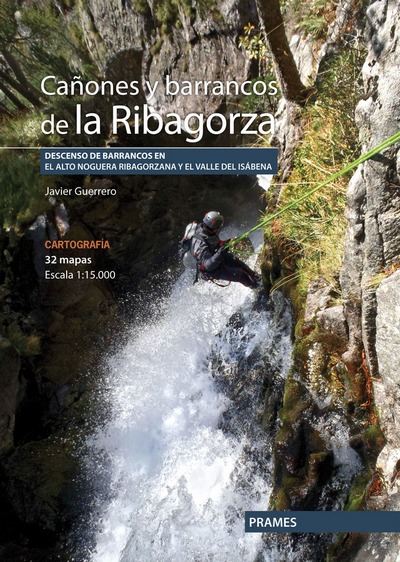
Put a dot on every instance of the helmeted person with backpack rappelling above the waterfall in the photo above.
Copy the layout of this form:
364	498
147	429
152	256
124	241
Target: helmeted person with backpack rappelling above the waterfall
212	259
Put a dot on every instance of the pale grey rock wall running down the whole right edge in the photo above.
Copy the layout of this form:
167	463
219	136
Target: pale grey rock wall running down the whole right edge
372	253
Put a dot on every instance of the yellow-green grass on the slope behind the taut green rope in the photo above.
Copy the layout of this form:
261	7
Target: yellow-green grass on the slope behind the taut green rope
312	232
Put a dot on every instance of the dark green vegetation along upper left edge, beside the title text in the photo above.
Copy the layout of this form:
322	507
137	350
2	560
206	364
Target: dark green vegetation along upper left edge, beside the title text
36	39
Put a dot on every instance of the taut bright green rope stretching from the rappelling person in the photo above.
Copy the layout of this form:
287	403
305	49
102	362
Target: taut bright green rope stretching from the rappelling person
385	144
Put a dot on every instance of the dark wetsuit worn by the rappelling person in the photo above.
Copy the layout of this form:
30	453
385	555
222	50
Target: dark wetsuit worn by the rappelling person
215	262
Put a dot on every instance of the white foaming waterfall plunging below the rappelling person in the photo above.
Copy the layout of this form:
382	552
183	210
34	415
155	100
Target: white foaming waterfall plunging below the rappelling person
179	483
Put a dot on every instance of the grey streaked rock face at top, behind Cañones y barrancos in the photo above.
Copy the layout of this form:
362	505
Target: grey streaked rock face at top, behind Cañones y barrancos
148	41
